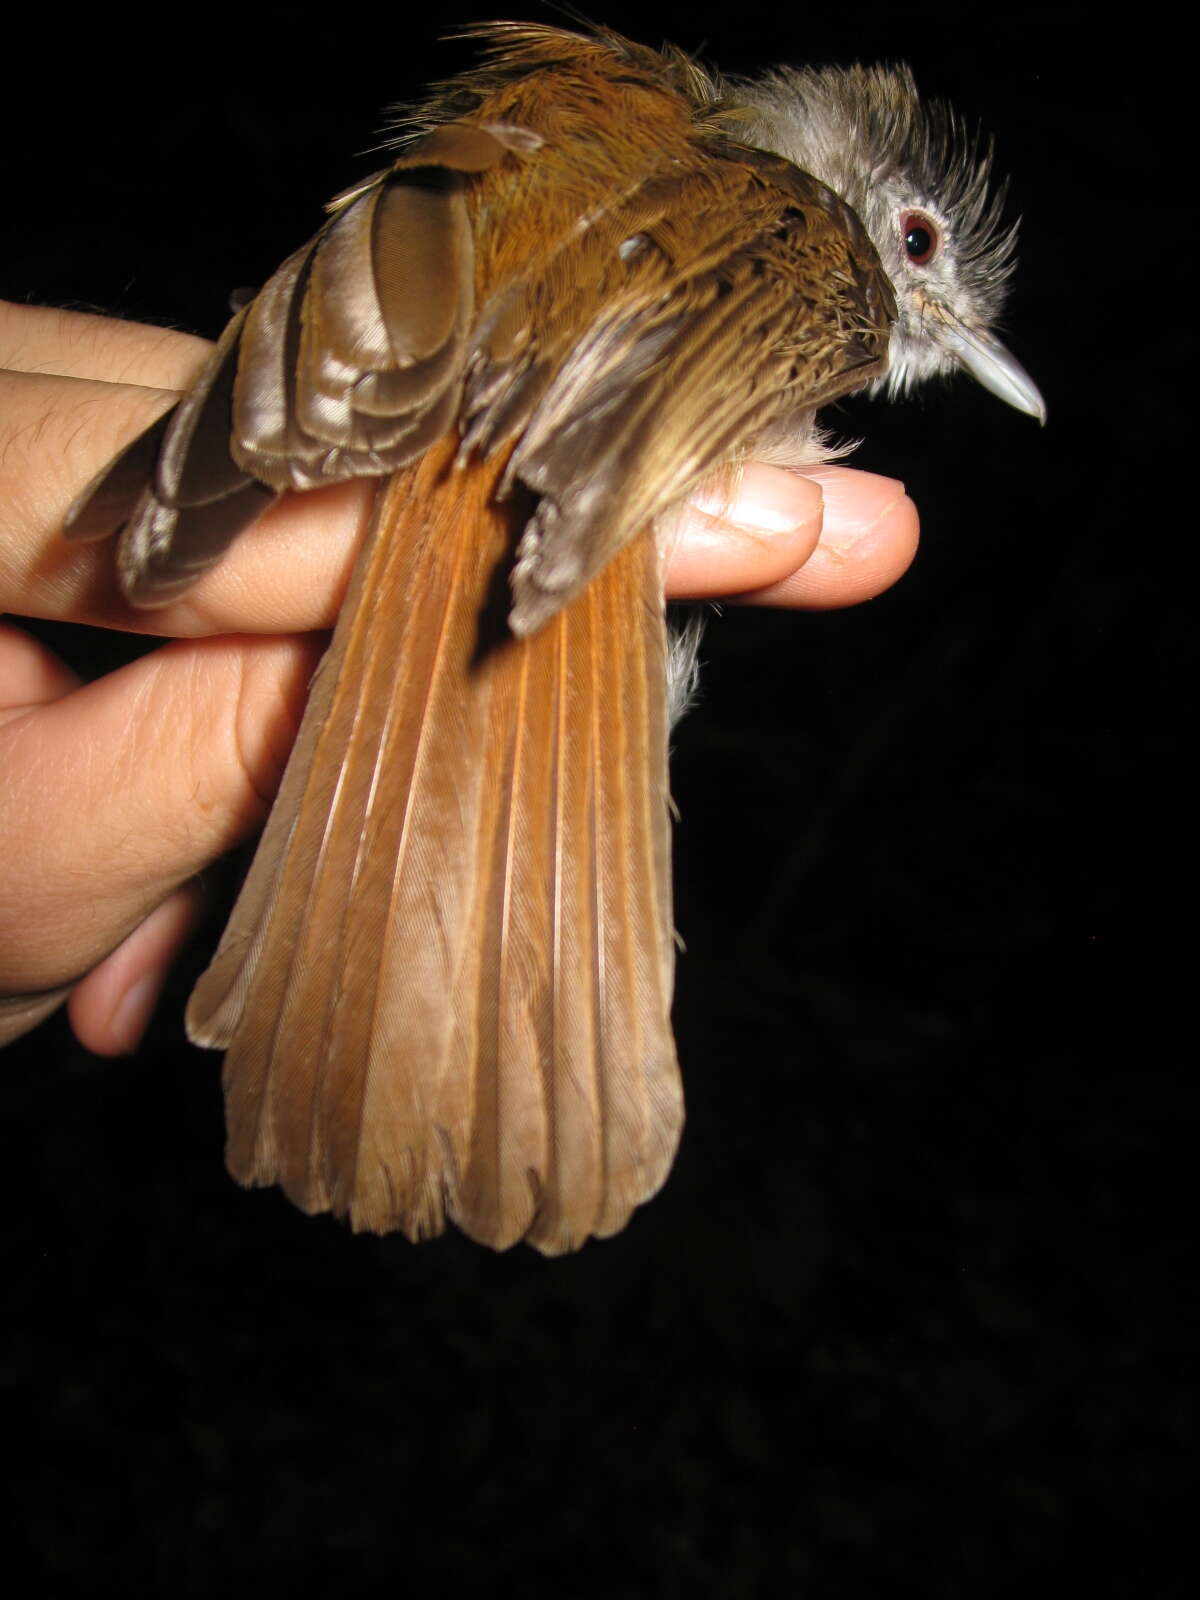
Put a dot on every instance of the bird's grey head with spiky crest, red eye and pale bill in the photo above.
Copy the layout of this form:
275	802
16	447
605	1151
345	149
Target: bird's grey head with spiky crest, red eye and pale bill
922	190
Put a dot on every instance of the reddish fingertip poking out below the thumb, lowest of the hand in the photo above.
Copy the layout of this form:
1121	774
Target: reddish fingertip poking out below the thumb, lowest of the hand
111	1009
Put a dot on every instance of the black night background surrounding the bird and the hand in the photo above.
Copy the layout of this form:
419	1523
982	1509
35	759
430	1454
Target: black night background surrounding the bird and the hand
911	1314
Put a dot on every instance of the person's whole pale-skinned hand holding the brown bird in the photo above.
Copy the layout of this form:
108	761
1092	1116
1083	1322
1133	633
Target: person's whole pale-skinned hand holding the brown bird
116	794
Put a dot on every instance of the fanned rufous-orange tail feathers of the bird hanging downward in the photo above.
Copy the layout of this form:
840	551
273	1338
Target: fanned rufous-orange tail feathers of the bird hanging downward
446	988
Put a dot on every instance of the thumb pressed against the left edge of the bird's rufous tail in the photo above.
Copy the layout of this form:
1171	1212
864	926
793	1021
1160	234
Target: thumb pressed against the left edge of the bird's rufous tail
122	791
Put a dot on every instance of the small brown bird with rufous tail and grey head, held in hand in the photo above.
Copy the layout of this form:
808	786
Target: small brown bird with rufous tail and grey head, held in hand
580	289
